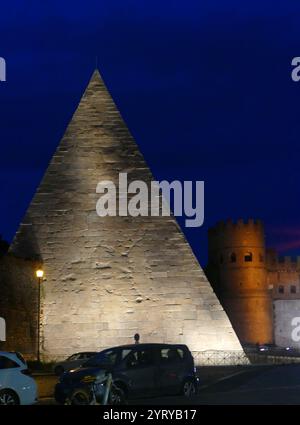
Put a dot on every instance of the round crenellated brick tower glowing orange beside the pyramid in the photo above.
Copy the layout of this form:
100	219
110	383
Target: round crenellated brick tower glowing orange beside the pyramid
237	270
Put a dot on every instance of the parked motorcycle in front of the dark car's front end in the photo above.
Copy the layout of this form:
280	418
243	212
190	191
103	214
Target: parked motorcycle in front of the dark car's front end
97	390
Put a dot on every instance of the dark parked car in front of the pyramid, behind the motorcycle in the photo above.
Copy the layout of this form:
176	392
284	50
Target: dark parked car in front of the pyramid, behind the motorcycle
140	371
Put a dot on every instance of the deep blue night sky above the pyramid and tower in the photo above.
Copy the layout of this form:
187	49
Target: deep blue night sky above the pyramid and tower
204	87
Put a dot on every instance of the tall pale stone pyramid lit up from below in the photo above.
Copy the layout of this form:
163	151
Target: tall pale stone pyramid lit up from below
107	278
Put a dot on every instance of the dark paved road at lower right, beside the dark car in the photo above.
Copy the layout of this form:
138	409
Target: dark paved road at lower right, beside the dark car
266	385
